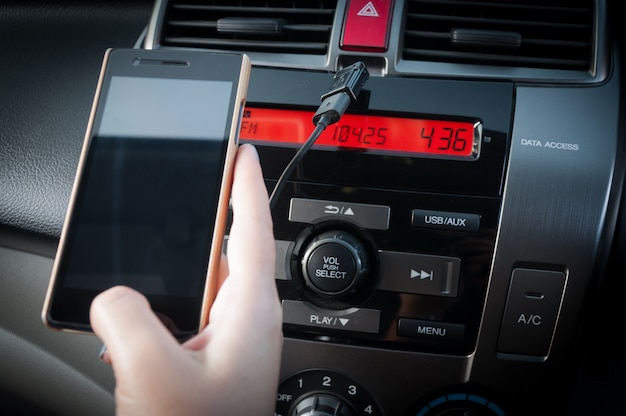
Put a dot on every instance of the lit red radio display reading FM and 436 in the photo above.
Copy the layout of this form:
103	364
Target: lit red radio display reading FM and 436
377	134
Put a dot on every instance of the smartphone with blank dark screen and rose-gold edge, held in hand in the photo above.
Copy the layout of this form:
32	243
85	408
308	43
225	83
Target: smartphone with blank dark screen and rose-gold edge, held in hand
149	204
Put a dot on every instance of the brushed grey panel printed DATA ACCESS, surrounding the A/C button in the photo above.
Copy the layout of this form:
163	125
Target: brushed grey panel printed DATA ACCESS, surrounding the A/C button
561	171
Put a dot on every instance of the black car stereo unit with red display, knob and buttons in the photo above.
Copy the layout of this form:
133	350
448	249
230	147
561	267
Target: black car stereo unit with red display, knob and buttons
386	231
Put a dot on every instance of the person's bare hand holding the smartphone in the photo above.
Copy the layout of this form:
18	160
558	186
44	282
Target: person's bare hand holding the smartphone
232	366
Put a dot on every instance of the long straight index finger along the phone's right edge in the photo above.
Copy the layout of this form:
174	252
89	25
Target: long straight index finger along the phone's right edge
248	300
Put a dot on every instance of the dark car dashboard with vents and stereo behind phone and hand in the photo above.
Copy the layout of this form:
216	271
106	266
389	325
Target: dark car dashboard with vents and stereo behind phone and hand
453	245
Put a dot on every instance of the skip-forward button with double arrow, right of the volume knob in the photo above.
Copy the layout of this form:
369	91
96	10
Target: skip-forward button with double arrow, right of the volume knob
421	274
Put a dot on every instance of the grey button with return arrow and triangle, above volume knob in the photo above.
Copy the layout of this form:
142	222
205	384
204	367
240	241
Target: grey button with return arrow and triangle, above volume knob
313	211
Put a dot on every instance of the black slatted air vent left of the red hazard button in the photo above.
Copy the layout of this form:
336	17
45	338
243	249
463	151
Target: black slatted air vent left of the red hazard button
297	27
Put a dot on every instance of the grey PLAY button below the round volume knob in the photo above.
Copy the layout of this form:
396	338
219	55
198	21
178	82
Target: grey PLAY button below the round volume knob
353	319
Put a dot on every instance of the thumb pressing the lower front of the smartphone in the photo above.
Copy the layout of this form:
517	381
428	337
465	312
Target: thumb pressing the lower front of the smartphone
123	320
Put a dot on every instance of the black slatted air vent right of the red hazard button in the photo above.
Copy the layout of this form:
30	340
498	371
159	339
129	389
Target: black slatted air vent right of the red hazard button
549	34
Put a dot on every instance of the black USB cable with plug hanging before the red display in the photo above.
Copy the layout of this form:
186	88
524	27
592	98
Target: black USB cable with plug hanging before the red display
346	86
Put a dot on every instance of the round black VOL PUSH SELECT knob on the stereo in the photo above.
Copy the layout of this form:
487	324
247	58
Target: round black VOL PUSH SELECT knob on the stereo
334	263
